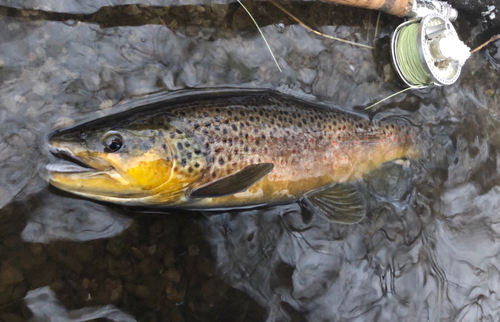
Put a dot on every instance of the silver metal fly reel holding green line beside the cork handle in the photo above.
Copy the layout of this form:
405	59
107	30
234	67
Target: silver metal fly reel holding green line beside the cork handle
426	50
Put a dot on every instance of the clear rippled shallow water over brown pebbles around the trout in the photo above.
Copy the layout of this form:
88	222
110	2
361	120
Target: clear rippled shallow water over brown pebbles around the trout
428	249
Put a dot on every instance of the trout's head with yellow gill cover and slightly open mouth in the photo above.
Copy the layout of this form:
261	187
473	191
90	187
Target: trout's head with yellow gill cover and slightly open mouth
138	163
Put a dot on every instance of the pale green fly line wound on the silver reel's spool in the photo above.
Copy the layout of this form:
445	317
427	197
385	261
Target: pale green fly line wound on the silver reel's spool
409	57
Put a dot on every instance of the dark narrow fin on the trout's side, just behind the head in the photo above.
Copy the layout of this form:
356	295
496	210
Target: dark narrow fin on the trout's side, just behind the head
234	183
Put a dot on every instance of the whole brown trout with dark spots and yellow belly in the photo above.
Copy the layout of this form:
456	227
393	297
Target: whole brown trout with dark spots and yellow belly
228	151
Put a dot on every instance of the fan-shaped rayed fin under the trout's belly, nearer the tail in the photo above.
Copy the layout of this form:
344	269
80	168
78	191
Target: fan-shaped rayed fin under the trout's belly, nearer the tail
342	203
